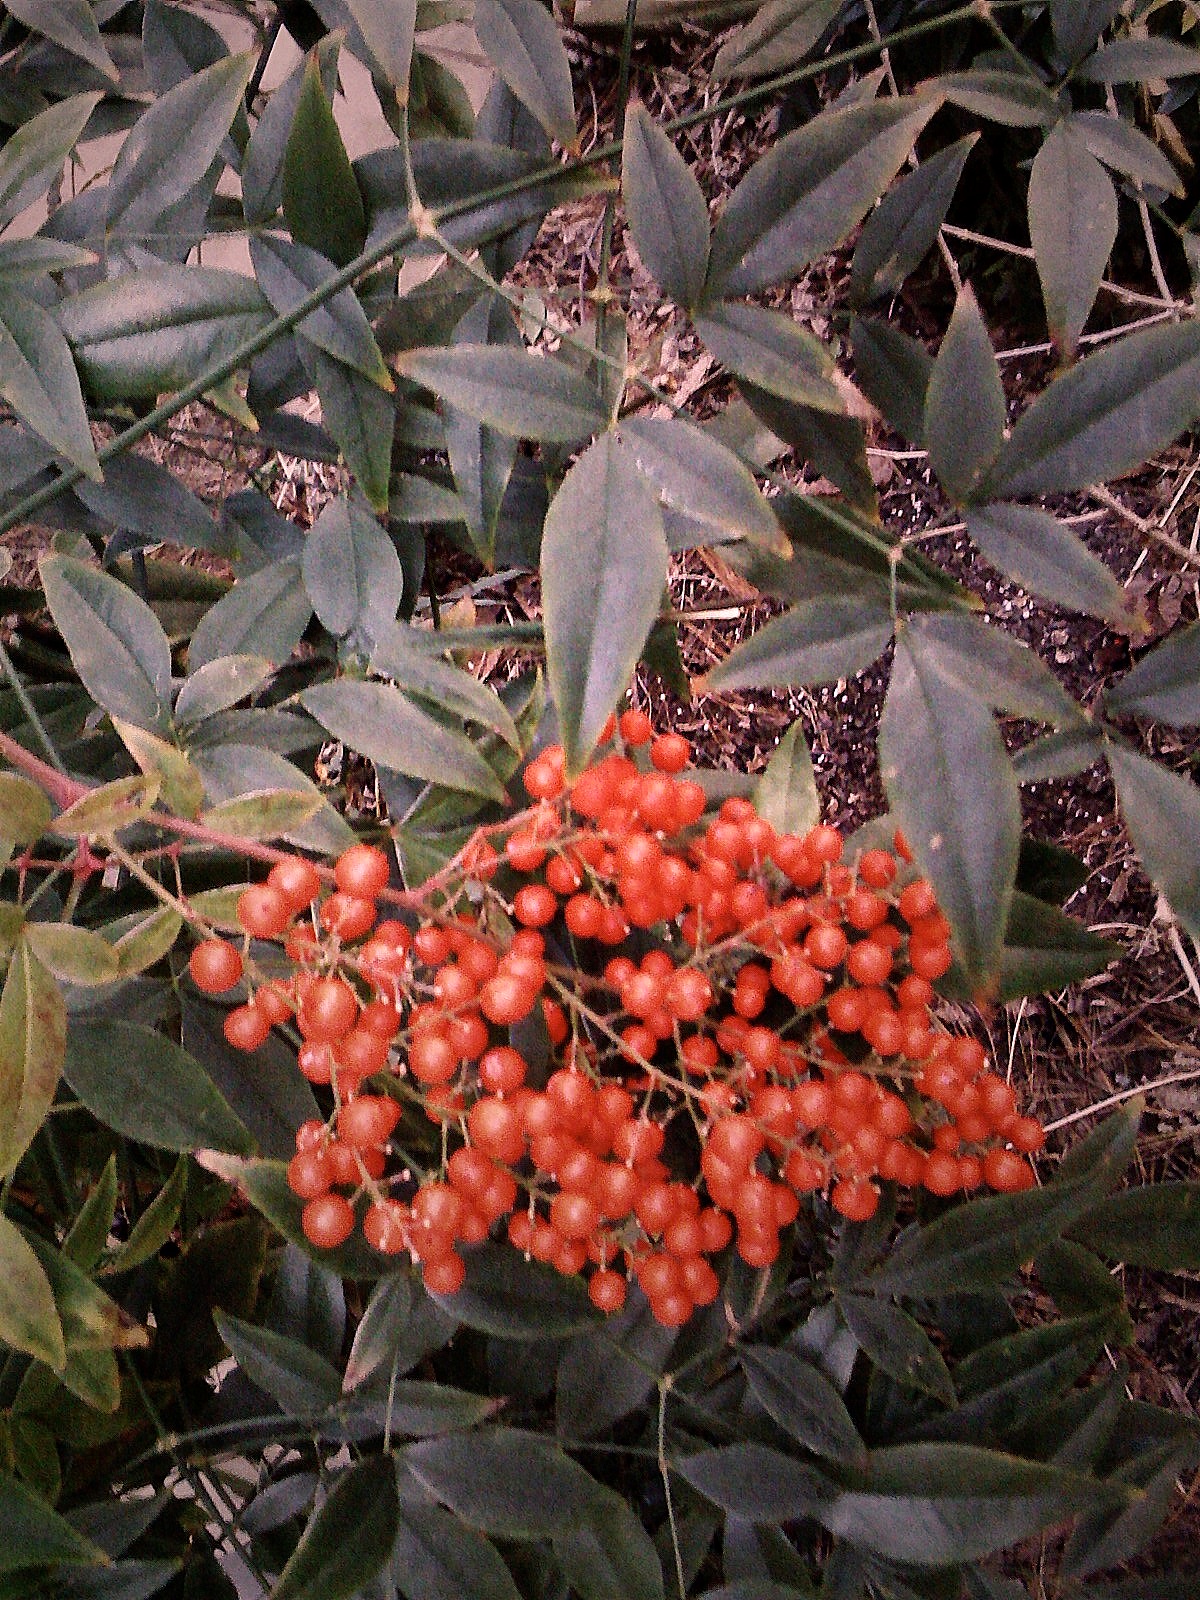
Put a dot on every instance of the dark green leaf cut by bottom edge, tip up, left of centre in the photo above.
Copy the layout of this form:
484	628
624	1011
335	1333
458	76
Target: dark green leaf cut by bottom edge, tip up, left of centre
348	1540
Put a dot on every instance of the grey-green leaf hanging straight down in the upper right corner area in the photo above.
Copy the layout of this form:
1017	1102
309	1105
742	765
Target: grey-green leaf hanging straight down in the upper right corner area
1073	226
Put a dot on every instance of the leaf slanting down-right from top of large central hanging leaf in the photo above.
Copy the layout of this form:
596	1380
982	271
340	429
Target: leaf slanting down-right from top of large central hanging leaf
700	478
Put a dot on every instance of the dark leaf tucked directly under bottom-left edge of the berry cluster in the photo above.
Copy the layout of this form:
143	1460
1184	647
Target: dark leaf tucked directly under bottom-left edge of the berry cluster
519	1300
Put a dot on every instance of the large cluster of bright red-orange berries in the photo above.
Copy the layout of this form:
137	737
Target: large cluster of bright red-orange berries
738	1018
